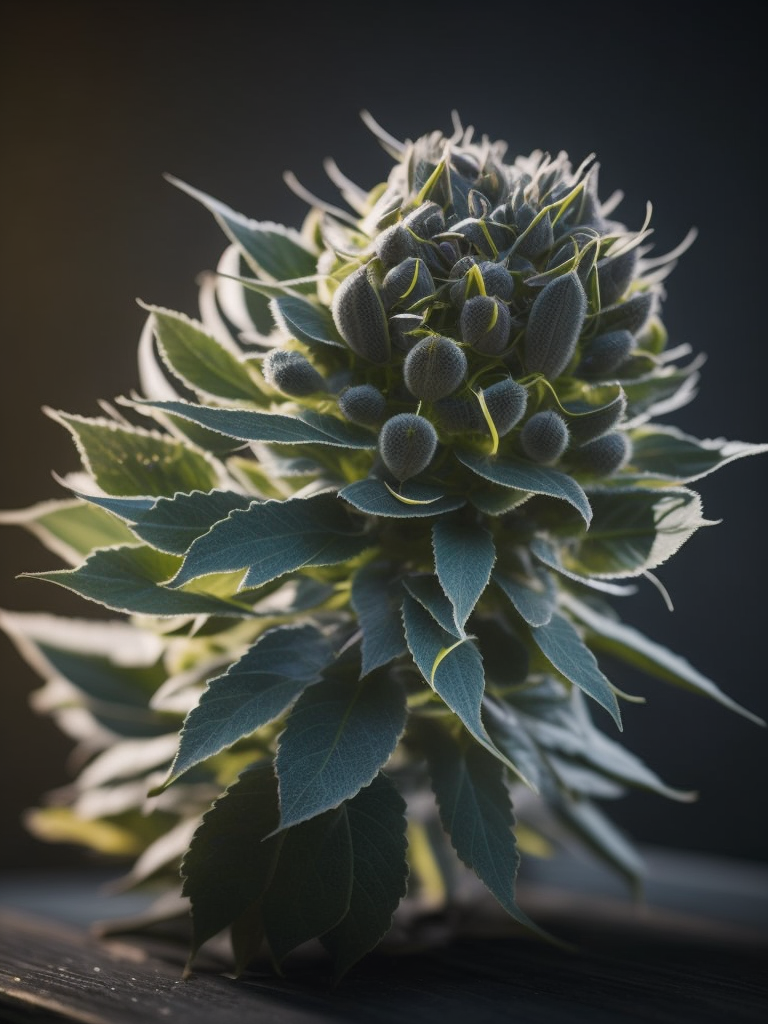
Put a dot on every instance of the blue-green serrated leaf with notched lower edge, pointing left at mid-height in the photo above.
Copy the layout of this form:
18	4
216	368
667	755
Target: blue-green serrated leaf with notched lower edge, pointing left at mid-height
273	538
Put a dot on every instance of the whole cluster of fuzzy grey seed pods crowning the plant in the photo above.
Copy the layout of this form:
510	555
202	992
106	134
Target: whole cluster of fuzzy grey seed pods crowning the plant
462	326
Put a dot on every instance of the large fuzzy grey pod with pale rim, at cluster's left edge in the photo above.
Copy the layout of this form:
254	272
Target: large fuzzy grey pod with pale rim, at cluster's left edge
360	316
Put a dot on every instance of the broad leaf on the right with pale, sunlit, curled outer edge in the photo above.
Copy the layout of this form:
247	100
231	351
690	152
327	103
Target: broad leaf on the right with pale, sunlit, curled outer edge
634	531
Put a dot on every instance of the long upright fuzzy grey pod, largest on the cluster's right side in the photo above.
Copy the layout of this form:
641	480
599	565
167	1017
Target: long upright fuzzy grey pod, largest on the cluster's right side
554	325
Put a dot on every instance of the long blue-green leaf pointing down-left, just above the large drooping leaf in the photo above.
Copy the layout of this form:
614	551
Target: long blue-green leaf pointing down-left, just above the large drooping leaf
252	693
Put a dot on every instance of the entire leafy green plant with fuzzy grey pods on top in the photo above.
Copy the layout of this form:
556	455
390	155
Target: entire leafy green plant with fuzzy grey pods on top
363	526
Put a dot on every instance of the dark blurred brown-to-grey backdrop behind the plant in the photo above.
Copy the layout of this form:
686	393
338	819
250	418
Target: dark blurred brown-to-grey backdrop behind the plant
100	100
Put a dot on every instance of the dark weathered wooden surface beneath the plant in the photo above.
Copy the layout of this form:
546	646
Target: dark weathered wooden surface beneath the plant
703	962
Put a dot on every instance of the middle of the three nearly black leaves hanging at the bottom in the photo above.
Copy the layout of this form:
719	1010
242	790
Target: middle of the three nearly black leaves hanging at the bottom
312	889
